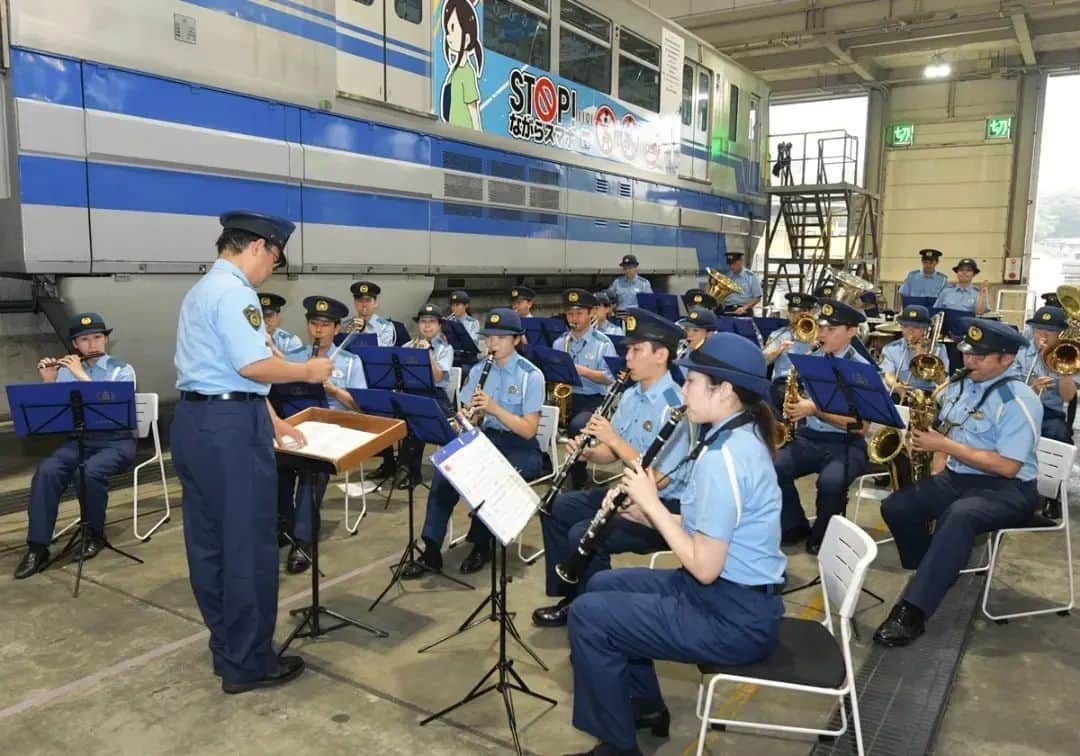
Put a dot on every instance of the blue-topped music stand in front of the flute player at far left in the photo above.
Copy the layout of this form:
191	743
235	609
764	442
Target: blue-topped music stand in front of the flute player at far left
76	409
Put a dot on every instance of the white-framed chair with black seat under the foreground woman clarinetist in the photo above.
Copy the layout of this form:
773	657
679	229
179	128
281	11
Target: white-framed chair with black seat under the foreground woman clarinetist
811	658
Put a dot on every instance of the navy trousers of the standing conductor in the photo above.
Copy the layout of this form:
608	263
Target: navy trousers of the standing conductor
224	457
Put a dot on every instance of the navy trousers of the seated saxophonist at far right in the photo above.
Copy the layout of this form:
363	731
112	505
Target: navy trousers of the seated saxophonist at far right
962	507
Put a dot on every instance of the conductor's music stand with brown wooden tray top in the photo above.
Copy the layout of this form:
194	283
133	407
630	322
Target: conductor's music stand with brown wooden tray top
386	431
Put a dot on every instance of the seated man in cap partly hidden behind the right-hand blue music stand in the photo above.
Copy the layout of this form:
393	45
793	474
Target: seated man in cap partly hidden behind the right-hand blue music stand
822	443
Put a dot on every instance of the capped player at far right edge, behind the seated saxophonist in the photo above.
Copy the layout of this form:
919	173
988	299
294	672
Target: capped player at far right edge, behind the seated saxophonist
1056	390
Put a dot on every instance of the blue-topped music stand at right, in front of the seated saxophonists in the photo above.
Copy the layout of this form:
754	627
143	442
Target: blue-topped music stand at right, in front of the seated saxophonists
853	389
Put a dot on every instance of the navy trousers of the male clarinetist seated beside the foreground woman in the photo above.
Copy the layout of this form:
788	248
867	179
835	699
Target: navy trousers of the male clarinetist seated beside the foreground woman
570	520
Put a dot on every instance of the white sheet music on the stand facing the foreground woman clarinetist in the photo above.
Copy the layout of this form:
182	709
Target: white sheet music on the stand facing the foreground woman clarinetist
485	479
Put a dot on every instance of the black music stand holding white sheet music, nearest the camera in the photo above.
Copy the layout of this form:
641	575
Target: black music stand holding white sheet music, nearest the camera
493	510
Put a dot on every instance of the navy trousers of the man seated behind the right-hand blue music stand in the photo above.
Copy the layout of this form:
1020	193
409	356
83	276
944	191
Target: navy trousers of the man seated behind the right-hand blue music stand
823	454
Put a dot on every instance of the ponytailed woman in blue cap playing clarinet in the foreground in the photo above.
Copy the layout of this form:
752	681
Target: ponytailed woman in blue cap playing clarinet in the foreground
723	605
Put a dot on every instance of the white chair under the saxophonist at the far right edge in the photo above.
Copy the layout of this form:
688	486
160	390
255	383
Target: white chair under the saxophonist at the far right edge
1056	465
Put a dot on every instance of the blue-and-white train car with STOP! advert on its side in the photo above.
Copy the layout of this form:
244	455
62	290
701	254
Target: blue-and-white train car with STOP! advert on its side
429	144
